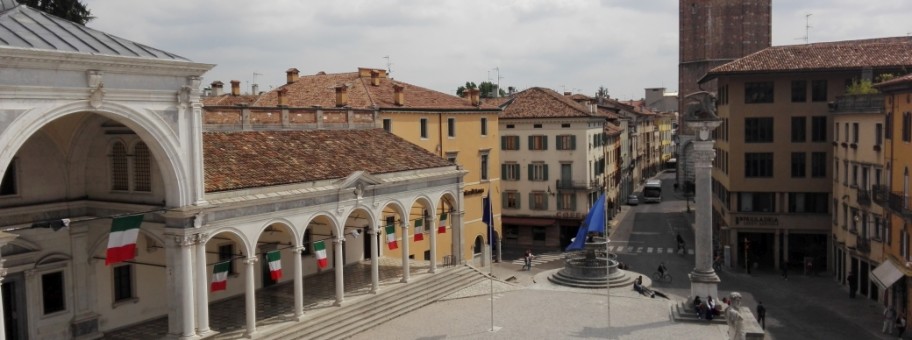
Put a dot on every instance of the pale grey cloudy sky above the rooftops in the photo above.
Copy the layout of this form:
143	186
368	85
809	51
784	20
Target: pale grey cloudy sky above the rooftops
565	45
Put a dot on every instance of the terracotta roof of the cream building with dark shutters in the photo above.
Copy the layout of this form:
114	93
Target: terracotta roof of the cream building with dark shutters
540	102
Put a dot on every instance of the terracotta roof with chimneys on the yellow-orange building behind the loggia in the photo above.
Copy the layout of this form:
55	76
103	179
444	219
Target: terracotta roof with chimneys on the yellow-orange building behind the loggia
320	89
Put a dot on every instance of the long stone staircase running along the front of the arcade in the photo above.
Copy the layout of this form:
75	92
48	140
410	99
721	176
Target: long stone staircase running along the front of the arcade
359	316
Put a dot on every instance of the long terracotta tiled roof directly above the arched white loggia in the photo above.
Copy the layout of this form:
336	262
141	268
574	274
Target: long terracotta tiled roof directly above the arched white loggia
238	160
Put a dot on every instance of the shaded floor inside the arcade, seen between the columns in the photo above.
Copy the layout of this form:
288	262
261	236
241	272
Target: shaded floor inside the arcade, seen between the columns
275	304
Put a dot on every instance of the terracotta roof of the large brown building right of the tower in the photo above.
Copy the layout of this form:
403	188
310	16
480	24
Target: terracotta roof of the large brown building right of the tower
840	55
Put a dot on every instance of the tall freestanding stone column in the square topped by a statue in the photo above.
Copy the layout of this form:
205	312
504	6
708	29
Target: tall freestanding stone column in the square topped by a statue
703	279
